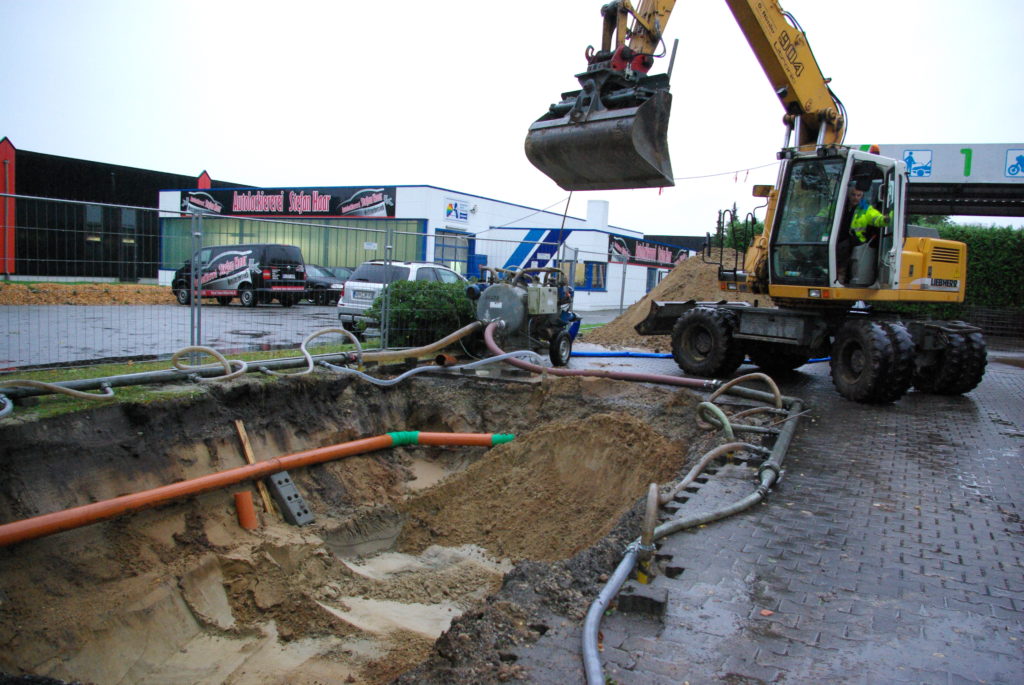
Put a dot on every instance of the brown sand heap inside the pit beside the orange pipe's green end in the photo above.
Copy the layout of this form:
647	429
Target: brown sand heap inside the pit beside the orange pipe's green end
543	496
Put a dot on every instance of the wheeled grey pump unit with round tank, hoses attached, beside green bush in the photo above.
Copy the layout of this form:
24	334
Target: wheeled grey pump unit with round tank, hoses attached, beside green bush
535	306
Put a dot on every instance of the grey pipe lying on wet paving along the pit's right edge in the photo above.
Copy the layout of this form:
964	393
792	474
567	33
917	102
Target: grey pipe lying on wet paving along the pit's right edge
769	475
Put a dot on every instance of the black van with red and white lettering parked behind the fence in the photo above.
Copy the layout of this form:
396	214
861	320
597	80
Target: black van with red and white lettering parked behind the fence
254	274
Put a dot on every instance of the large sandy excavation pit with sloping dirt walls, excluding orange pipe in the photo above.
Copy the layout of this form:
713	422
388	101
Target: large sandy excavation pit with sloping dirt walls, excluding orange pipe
404	542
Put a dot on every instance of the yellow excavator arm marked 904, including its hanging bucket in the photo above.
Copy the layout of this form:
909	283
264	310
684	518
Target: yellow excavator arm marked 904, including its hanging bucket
613	134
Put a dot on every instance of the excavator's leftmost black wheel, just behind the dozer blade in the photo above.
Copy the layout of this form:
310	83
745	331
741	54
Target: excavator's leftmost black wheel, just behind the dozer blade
703	344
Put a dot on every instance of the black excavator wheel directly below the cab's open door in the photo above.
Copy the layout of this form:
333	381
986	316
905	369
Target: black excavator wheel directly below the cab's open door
862	358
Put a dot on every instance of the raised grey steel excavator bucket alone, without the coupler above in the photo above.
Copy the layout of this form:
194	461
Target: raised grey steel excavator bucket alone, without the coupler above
610	149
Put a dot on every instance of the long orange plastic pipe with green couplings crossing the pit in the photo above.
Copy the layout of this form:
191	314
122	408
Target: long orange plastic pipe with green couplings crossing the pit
46	525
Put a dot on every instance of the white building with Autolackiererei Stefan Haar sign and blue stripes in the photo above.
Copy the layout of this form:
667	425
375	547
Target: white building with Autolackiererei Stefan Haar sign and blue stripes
346	226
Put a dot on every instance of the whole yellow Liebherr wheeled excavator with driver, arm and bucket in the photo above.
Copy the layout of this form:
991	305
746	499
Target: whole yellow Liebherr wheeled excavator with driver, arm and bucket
828	278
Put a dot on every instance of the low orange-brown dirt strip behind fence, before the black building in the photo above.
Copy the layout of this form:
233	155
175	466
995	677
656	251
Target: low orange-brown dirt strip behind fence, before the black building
89	293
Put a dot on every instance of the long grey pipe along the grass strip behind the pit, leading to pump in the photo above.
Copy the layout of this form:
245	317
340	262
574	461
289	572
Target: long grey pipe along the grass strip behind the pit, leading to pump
16	390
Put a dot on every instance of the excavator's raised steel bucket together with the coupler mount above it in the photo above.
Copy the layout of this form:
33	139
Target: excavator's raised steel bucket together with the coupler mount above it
611	135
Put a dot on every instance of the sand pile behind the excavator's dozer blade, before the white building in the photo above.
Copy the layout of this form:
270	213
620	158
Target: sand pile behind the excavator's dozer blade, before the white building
691	280
